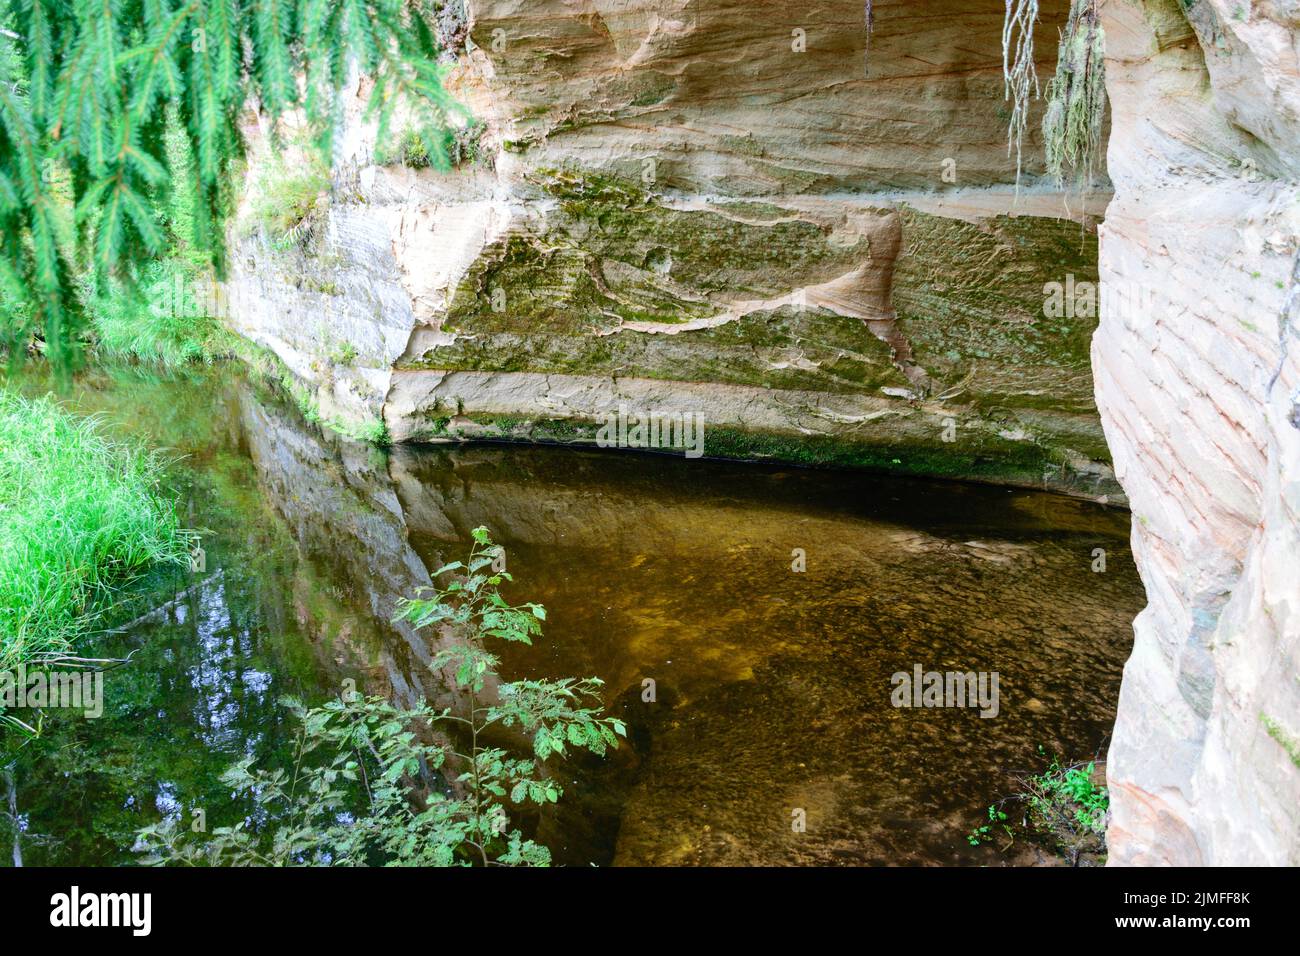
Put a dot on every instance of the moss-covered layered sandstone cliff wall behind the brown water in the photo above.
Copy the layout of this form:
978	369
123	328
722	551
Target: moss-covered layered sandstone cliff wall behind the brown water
673	196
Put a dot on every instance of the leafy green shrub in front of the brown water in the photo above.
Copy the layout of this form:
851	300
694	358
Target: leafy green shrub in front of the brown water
374	784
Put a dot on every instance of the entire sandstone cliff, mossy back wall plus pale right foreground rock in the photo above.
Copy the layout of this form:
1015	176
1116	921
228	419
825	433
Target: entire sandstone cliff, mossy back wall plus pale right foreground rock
751	211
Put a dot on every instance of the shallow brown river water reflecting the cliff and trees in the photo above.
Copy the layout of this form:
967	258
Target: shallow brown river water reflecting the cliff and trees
773	686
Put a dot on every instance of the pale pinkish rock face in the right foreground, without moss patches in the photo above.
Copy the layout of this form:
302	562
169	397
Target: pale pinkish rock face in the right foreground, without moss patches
1198	378
